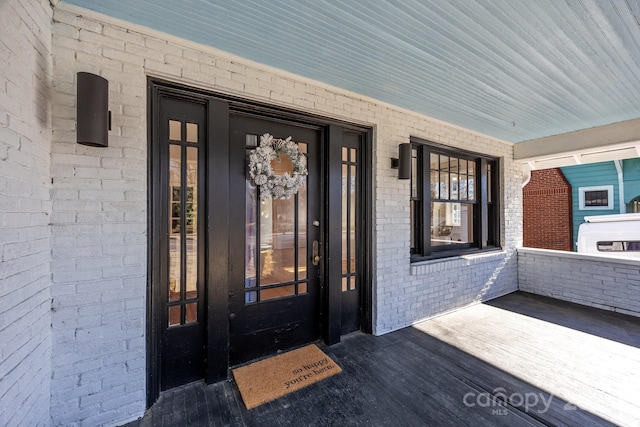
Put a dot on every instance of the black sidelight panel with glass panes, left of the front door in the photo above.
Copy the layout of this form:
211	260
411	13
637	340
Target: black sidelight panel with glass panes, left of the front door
181	146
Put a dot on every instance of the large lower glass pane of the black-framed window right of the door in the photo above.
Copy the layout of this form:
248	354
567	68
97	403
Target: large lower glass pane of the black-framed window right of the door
451	223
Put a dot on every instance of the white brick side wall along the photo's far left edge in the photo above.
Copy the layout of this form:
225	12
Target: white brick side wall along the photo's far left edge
25	146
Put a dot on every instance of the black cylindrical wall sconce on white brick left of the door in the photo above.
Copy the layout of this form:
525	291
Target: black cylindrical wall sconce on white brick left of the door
94	117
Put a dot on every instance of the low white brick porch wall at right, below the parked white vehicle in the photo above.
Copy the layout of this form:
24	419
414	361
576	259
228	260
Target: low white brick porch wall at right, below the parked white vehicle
609	284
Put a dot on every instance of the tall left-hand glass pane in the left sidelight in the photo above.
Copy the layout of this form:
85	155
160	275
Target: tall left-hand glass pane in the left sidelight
175	211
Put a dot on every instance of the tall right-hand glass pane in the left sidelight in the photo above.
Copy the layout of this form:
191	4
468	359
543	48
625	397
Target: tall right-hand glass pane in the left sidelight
191	223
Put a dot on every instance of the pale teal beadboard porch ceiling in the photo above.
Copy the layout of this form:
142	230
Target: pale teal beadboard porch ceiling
513	69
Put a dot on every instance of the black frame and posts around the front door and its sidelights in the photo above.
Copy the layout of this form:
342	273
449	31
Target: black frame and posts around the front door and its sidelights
219	107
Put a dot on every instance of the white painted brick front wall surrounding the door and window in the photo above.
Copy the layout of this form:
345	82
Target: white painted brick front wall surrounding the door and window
100	195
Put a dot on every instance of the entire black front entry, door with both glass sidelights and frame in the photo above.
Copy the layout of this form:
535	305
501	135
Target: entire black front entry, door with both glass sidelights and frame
234	276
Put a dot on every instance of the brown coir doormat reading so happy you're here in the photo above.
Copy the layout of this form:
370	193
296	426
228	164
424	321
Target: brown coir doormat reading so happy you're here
269	379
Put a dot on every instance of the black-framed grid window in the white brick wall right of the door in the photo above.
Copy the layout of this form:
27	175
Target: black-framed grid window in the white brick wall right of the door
453	202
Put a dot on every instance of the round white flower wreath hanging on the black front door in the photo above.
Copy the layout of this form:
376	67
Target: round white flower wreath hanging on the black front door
274	186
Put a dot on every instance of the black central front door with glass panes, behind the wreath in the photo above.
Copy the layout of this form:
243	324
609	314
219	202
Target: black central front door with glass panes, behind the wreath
276	246
